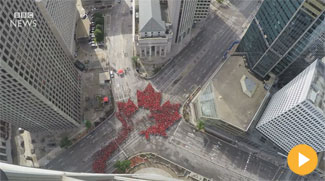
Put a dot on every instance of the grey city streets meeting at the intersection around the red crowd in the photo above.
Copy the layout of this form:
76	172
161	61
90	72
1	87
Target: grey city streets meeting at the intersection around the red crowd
196	151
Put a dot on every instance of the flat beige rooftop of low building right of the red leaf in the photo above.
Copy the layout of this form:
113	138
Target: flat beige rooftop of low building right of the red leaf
224	98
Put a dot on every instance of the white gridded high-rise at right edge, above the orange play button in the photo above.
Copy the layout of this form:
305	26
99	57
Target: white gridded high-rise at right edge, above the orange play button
296	113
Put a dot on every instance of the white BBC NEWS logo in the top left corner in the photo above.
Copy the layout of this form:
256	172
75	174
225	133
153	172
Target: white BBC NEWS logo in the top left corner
23	19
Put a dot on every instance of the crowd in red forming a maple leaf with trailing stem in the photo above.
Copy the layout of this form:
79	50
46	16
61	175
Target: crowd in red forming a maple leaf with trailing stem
164	116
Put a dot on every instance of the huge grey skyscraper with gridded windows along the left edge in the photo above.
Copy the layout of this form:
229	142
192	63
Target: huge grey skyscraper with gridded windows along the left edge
40	87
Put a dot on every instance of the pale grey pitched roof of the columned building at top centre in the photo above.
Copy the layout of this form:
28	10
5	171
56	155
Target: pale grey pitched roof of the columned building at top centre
150	16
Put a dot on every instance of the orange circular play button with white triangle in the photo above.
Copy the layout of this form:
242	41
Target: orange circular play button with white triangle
302	159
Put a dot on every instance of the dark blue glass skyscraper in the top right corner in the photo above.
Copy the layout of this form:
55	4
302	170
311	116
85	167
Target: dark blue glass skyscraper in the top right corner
282	33
